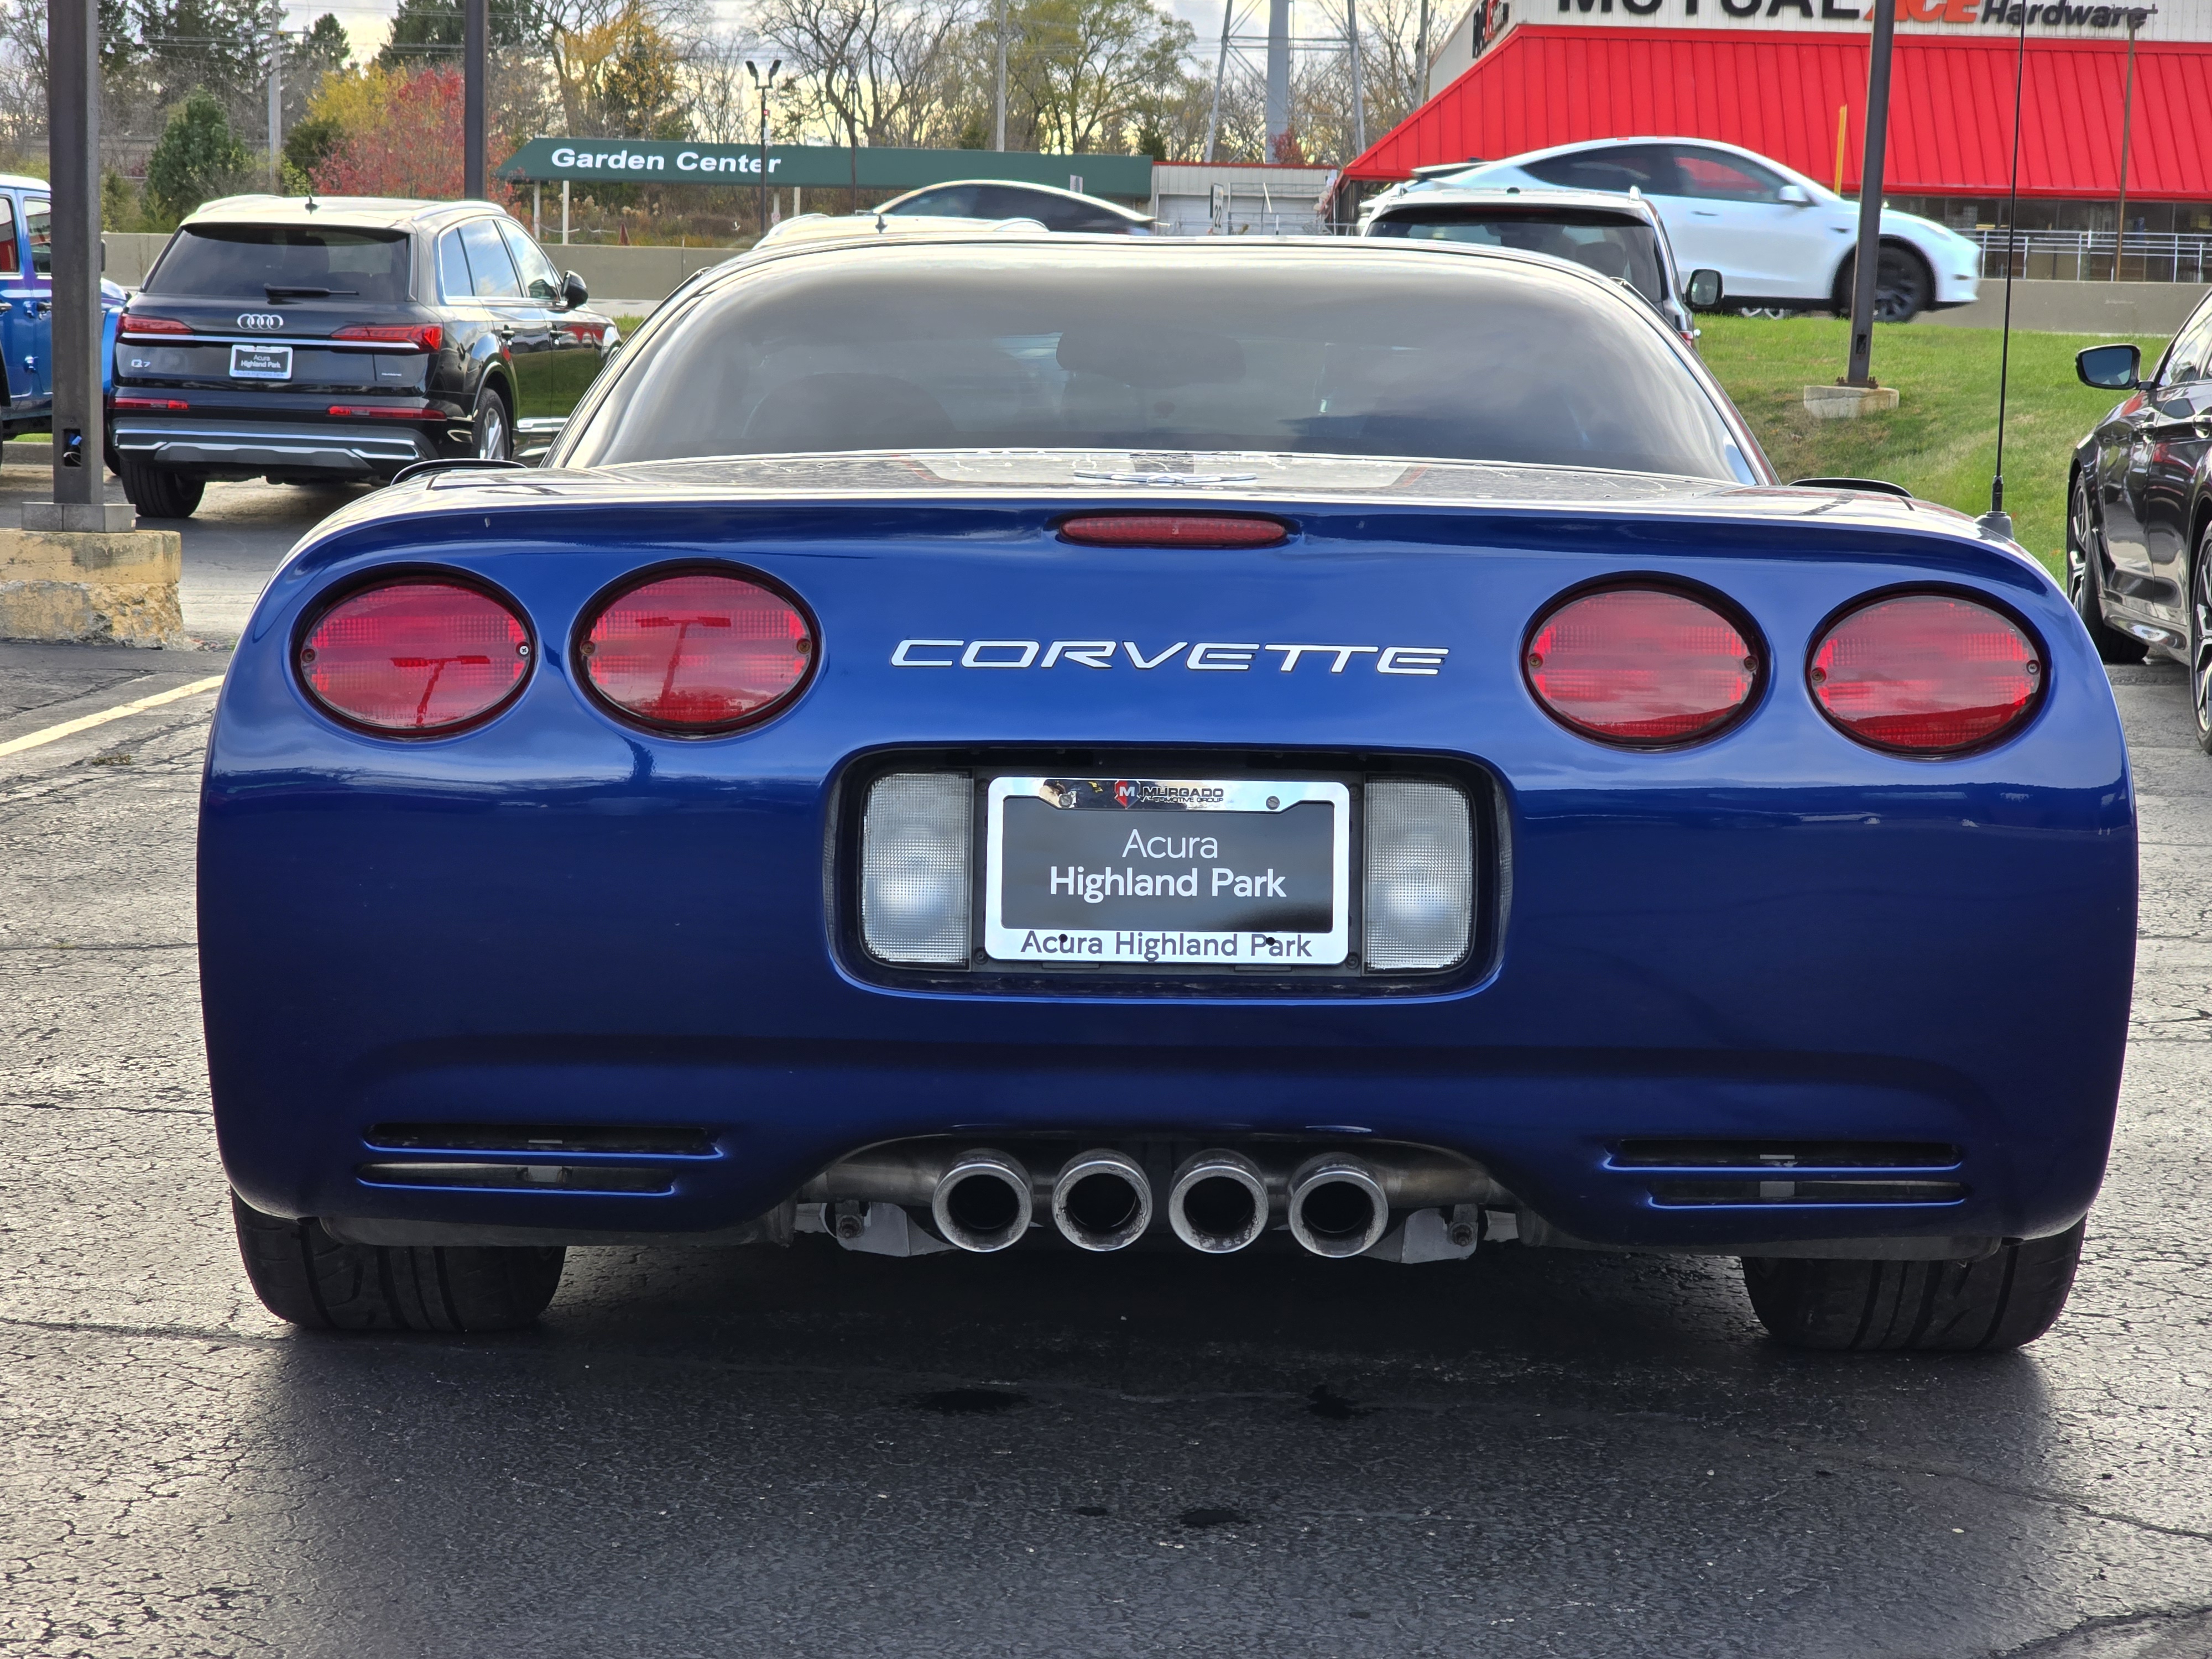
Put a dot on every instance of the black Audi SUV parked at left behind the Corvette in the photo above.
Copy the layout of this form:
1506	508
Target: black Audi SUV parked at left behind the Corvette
342	340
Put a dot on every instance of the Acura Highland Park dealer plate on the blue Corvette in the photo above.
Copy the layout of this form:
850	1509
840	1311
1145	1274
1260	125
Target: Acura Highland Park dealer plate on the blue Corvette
1167	873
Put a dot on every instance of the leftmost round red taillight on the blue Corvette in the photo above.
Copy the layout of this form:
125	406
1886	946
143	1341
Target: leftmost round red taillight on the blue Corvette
415	656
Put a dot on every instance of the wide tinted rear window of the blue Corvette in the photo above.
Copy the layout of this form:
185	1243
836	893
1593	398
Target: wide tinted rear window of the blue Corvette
1364	353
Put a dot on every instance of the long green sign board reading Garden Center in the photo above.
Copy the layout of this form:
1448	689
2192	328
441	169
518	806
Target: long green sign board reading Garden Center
1127	178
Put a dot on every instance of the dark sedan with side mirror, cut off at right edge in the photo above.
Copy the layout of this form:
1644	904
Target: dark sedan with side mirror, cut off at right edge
2140	517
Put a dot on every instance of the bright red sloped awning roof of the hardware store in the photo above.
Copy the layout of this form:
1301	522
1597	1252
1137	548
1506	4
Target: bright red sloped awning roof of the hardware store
1777	94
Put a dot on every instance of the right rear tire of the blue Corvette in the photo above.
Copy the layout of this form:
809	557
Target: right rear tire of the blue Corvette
1917	1306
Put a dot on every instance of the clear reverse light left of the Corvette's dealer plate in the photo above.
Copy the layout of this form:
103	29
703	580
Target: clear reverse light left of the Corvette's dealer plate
915	868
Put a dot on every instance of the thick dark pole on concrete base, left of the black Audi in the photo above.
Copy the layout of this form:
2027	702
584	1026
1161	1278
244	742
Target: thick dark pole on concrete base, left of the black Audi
74	154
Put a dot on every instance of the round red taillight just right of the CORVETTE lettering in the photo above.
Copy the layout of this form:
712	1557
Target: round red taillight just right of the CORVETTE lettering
1642	667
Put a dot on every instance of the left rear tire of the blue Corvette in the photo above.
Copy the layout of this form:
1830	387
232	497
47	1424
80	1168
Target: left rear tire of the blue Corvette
311	1280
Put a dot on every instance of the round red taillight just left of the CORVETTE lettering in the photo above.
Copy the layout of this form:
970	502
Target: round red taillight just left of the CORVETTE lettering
698	651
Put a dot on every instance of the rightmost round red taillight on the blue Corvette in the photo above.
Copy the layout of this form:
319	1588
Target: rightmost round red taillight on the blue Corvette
1926	674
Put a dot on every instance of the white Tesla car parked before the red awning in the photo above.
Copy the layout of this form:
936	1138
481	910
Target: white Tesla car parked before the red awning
1775	236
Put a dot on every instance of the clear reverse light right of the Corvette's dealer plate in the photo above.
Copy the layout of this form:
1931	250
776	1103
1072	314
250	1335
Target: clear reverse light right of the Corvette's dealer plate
1419	897
